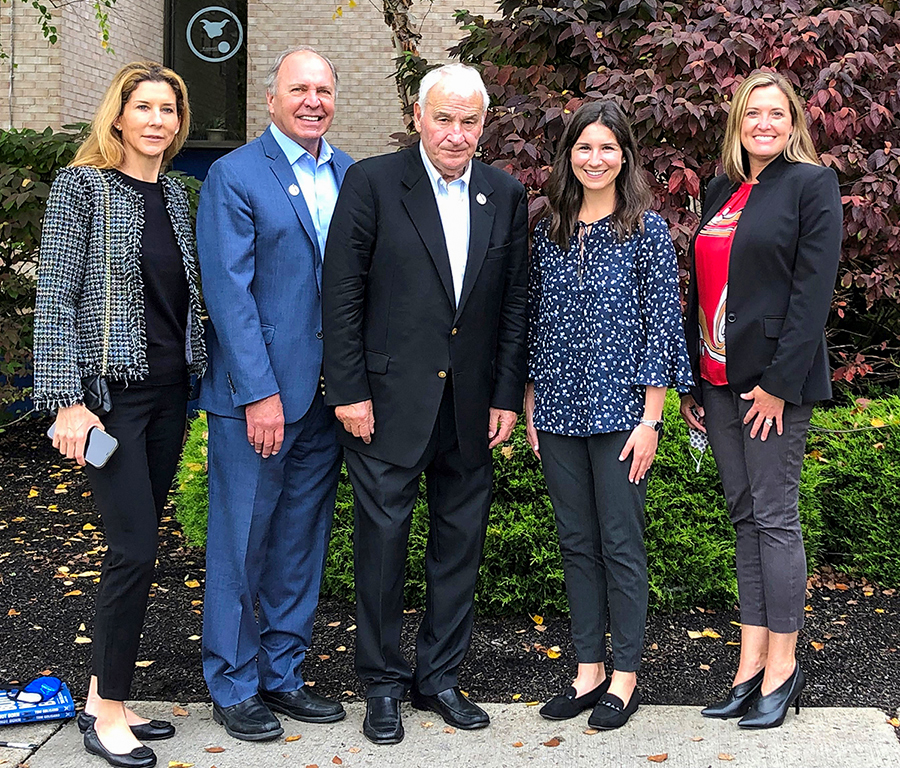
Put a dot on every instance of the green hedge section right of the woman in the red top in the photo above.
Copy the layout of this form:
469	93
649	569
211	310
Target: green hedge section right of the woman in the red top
859	491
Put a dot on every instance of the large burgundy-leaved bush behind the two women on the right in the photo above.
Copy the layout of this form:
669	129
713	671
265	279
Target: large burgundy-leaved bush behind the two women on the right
674	68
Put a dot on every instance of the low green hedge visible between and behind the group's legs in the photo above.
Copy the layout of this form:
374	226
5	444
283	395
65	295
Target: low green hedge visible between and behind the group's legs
848	506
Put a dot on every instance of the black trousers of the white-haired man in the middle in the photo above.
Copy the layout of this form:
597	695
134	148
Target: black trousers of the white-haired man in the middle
459	499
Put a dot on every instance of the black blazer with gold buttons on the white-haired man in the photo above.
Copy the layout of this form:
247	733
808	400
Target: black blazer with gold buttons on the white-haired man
392	329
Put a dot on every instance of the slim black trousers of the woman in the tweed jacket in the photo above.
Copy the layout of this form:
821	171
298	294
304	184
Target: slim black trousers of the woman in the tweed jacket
130	493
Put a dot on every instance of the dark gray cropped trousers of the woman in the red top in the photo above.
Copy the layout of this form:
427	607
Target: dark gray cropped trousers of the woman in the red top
762	491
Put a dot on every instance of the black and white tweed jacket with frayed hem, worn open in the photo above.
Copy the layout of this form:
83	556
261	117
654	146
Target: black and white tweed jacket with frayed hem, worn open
71	291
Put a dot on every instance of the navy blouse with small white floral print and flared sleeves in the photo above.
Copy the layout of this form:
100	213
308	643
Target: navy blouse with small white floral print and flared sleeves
604	323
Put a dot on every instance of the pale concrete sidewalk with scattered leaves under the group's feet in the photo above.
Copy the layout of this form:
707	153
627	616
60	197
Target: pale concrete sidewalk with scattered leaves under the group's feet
818	738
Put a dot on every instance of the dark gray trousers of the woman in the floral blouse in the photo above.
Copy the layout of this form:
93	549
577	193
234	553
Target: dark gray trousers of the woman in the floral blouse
600	519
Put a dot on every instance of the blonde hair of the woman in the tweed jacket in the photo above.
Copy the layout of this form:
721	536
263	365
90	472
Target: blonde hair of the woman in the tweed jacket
103	147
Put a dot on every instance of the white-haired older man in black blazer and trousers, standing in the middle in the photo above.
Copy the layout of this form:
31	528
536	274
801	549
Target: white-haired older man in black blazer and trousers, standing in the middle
424	295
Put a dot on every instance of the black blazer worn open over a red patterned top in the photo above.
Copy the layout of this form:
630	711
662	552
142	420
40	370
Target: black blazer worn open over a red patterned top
781	275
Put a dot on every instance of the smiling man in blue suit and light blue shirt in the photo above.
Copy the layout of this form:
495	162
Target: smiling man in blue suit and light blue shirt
274	461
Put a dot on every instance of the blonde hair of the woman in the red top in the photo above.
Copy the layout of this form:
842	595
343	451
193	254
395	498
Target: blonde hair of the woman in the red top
799	147
